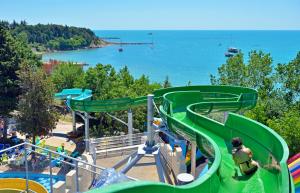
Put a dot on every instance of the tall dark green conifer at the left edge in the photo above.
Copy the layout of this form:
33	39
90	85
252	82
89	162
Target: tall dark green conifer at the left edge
12	54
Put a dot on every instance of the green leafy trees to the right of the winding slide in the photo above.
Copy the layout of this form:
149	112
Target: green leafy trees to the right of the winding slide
278	90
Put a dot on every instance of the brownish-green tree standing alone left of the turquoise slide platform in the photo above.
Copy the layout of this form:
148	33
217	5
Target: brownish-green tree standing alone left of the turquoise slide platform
36	114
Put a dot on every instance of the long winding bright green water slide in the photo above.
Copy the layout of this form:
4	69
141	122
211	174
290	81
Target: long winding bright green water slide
186	111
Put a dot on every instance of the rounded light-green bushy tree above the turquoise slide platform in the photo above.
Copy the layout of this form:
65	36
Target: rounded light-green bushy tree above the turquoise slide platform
67	75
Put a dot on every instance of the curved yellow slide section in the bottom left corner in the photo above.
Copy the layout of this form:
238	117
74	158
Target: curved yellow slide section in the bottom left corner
16	185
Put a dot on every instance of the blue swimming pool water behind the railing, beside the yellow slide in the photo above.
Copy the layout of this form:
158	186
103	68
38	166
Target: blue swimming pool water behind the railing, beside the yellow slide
43	179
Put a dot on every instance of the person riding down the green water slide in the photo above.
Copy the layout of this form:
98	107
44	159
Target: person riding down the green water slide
242	157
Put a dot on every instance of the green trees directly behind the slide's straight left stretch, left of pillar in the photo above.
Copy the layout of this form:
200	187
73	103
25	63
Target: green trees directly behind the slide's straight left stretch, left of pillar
106	83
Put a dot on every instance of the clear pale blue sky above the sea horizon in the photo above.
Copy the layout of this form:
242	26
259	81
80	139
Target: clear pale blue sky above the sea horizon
157	14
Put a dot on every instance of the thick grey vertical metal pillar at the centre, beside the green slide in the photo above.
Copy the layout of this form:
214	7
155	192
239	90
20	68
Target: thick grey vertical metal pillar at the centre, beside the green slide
150	139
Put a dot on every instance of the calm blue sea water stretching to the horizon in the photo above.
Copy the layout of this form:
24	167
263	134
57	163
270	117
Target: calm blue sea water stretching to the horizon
183	56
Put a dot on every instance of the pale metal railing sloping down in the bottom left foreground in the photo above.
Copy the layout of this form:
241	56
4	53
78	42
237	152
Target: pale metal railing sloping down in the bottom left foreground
50	156
